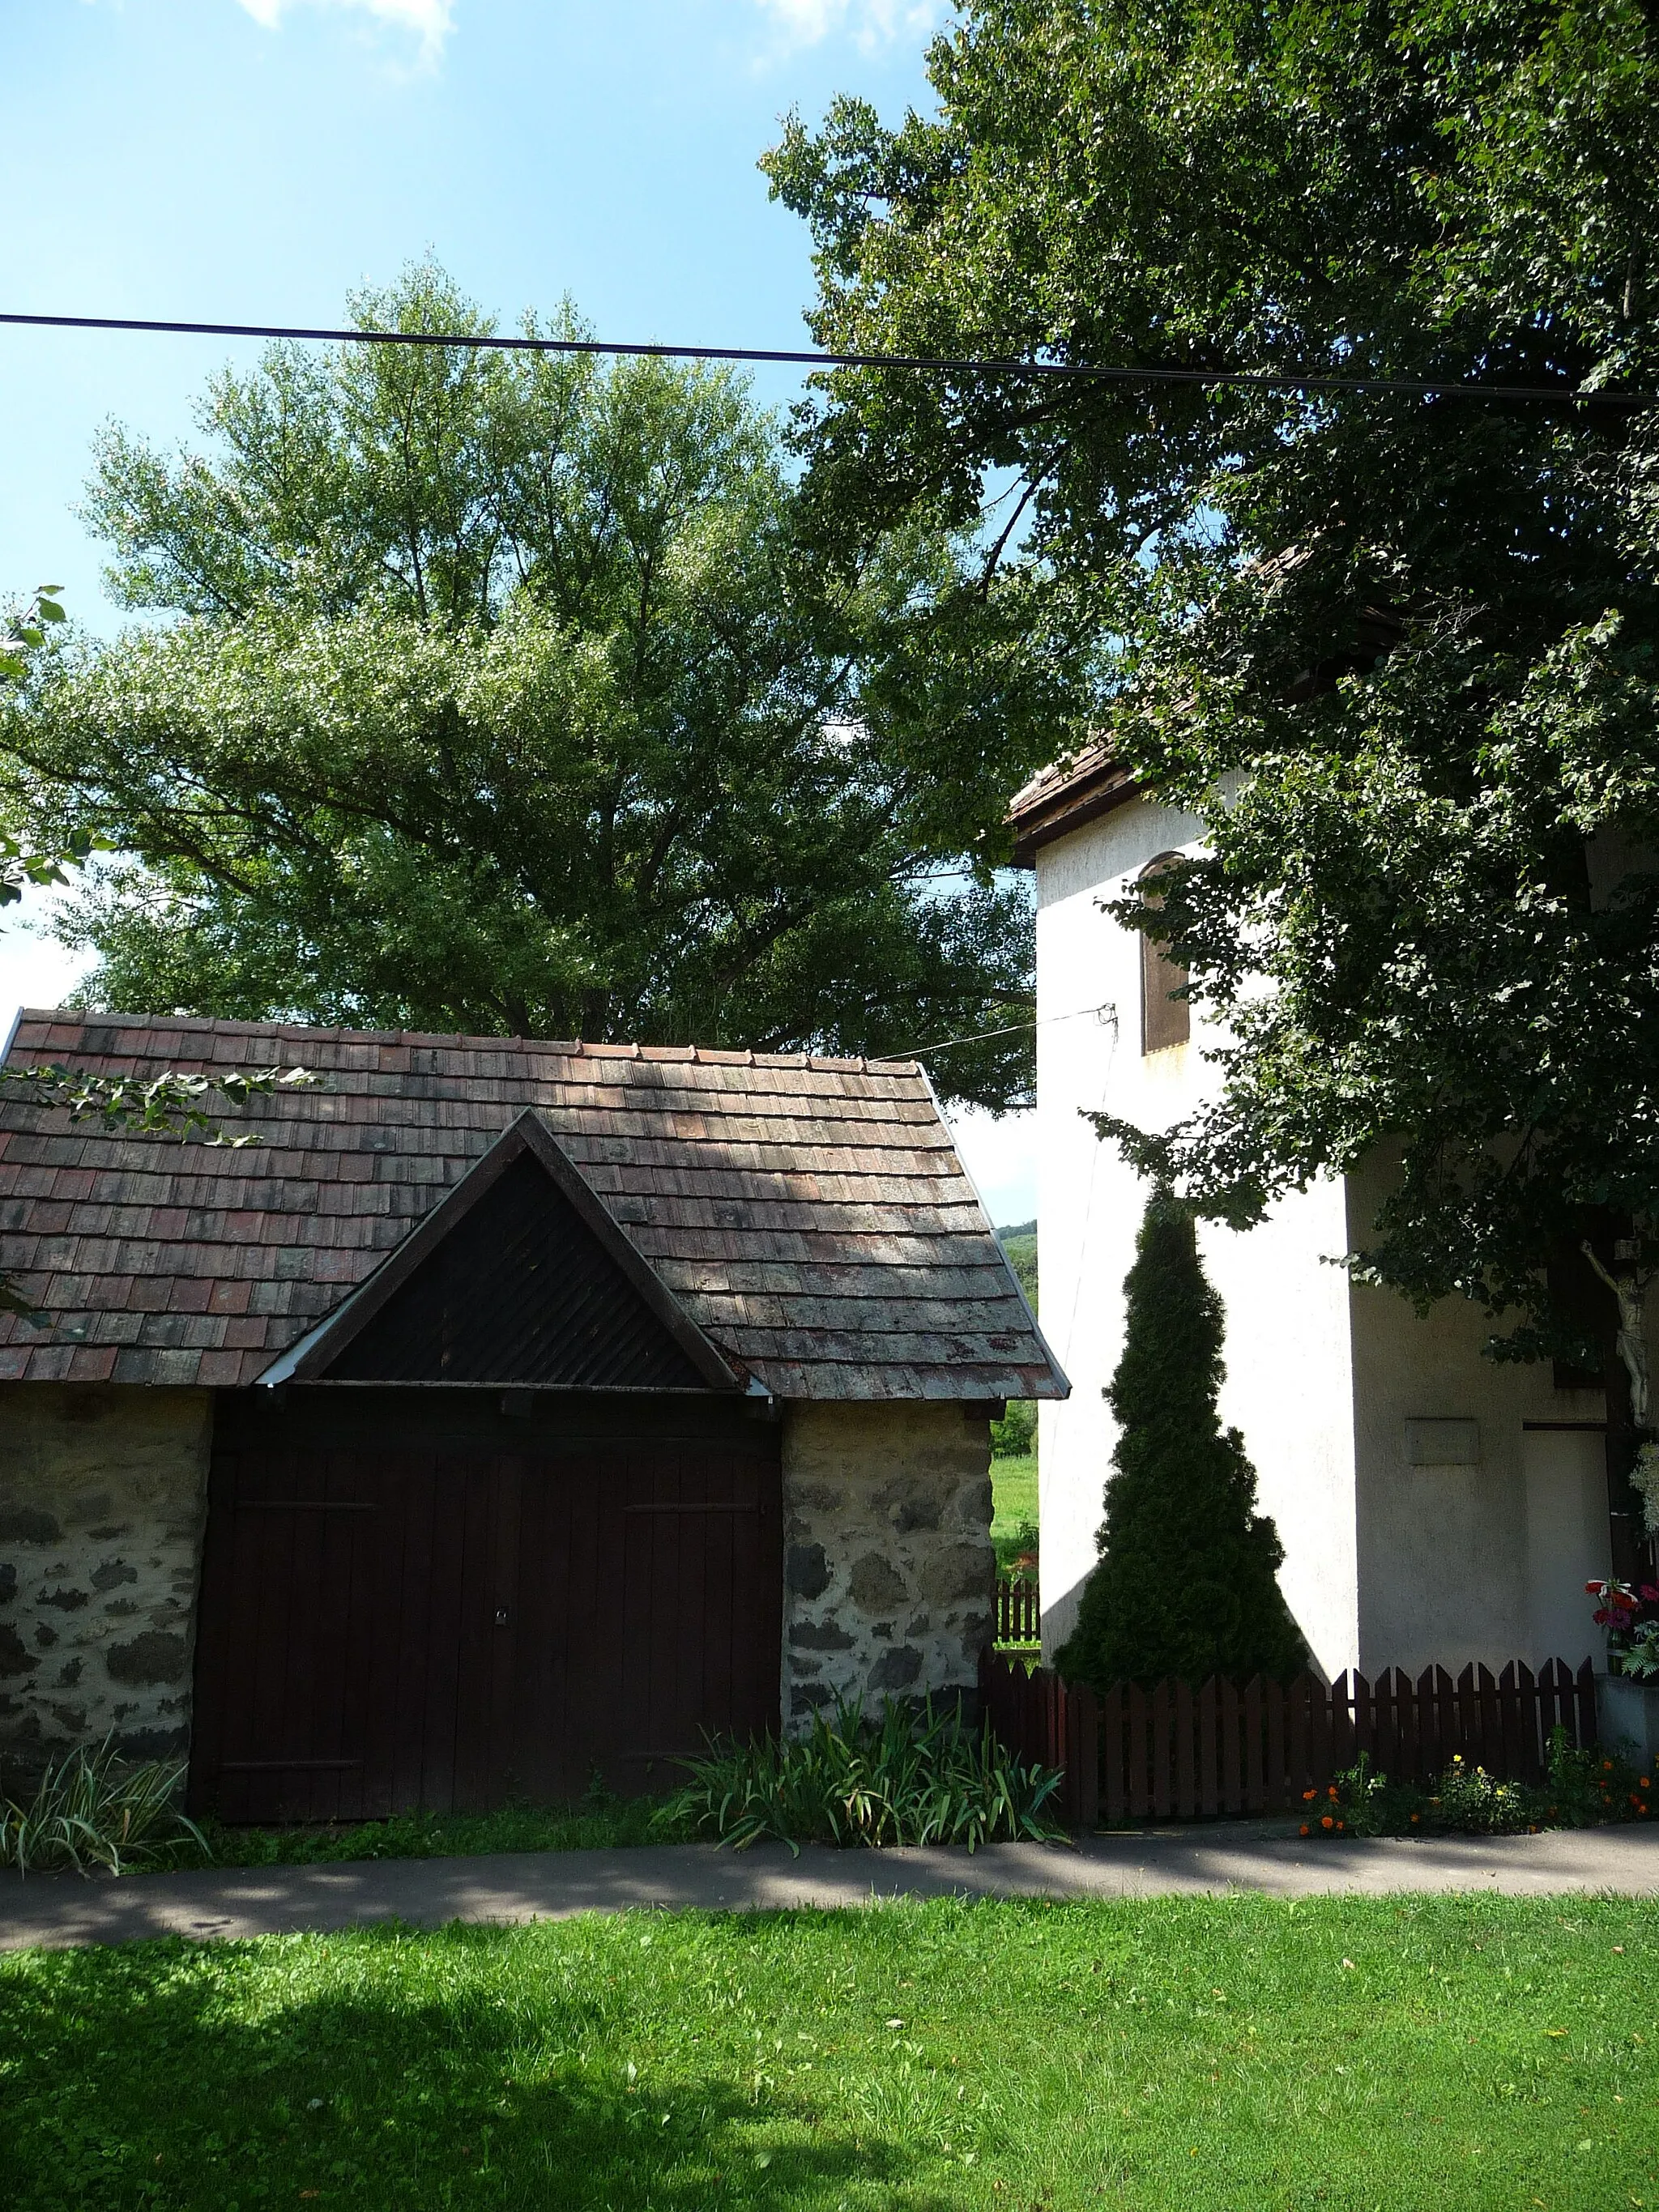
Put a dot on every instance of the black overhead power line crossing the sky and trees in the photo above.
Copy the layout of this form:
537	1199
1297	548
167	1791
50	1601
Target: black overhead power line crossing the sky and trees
924	364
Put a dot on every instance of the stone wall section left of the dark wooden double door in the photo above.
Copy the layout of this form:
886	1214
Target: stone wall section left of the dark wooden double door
103	1503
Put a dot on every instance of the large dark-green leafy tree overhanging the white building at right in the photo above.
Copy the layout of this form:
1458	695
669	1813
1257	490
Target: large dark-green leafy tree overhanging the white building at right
1395	647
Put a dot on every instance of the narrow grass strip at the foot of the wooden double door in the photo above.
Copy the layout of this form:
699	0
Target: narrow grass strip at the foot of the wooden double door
587	1826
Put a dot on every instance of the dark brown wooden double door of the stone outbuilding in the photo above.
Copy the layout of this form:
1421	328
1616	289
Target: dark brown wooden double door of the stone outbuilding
410	1607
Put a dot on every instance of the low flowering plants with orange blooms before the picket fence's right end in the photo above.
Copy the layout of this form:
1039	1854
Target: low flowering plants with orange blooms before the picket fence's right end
1587	1786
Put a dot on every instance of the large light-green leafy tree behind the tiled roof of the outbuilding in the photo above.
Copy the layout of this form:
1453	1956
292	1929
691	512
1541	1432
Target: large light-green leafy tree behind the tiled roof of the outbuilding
508	693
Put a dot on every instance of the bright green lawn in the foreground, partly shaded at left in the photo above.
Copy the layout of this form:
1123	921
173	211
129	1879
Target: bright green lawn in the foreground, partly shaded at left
1415	2056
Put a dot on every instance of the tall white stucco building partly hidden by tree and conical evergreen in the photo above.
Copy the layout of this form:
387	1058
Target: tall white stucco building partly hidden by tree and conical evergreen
1434	1507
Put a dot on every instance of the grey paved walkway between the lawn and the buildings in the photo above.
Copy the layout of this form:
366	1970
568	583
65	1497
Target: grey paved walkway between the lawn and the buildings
550	1886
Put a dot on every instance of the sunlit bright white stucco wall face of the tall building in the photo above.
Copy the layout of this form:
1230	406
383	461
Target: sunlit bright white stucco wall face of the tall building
1288	1319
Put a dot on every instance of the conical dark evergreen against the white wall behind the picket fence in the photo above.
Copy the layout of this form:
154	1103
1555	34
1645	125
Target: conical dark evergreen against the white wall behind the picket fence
1189	1572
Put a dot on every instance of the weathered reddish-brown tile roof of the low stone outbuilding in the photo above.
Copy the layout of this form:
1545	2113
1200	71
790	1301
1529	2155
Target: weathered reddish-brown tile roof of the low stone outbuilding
811	1215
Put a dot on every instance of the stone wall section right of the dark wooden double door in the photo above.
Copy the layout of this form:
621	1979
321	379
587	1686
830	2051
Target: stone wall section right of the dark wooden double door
888	1565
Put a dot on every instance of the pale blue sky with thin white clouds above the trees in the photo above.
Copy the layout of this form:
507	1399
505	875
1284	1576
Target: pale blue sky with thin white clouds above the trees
255	160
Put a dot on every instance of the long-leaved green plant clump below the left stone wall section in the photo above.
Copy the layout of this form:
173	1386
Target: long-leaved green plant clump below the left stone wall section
101	1813
